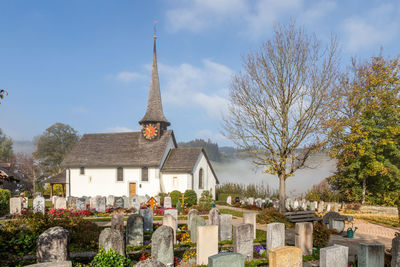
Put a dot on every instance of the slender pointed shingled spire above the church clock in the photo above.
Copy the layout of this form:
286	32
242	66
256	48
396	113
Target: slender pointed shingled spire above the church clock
154	112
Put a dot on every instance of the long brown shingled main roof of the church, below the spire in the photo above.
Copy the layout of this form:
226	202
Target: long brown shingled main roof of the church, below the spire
118	149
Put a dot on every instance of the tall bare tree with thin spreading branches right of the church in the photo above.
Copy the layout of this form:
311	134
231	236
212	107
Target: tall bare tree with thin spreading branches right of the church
281	102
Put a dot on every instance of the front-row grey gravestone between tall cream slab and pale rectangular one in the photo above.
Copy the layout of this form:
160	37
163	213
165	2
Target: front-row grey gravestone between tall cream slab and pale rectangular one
243	240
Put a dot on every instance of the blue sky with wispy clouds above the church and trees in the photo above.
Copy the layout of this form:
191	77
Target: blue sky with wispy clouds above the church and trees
87	63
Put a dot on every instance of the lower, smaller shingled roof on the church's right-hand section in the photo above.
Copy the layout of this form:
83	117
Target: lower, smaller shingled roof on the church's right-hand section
184	159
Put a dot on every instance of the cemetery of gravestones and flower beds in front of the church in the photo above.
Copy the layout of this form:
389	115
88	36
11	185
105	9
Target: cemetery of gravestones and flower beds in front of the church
150	231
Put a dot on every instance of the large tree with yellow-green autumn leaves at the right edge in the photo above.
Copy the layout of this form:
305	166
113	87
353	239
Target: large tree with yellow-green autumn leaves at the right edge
367	146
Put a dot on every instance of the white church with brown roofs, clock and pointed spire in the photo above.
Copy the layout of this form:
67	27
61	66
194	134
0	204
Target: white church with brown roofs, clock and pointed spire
138	163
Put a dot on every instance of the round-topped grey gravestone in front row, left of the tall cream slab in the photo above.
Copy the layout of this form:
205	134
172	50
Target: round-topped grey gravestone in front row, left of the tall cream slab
162	245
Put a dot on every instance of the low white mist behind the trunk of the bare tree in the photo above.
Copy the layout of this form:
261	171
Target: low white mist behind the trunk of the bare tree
245	172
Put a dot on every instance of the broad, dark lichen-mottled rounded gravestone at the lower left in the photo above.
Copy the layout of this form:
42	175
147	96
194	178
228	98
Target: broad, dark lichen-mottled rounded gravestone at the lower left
53	245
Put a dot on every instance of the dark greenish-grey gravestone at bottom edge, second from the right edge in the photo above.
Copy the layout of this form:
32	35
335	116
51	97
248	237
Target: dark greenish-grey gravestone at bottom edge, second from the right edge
371	255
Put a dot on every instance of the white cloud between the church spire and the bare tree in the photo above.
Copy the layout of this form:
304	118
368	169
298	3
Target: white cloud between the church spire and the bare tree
205	86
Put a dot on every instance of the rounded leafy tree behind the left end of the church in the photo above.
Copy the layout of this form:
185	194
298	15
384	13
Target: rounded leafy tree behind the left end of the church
53	145
